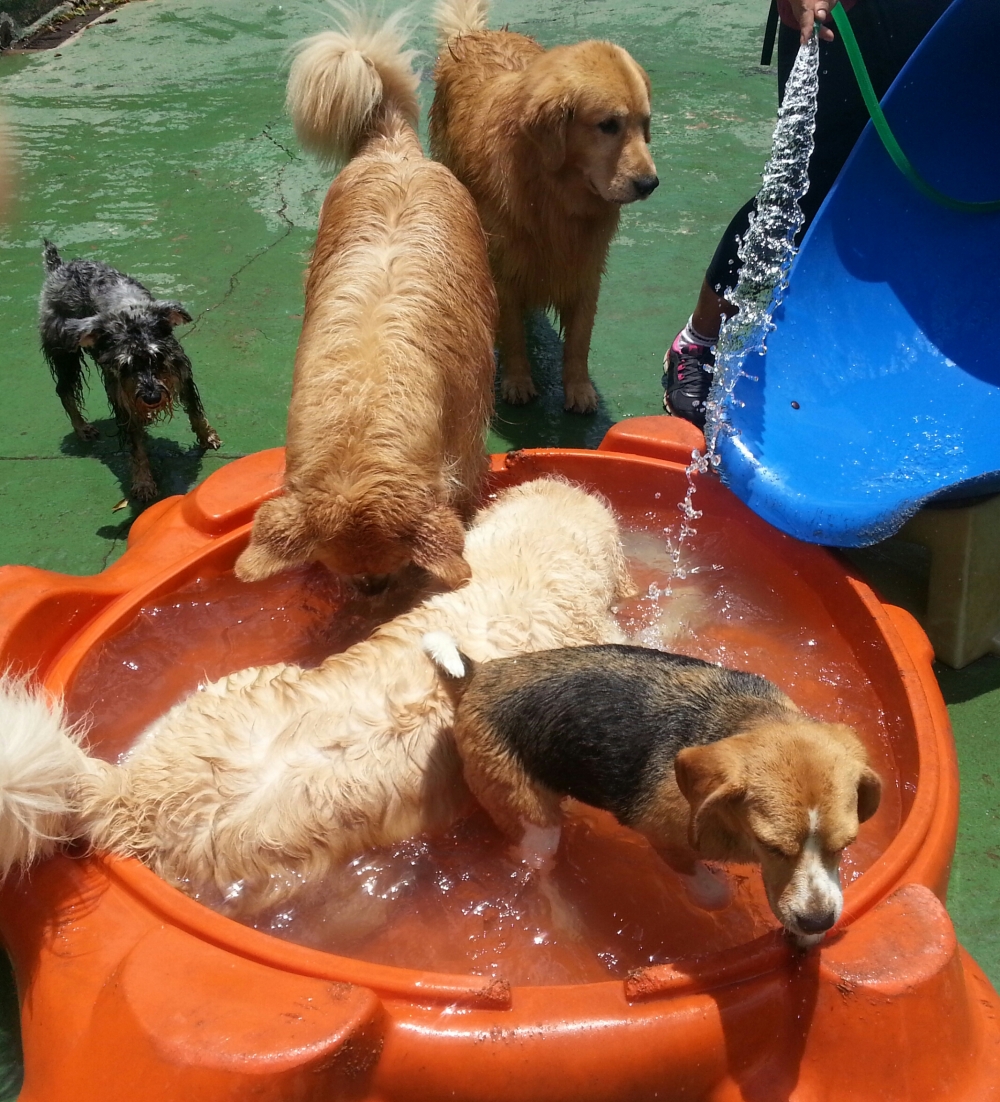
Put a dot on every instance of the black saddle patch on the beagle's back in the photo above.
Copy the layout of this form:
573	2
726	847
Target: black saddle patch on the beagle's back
604	723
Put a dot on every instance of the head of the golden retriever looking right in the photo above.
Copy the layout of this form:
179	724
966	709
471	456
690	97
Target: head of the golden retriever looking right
588	111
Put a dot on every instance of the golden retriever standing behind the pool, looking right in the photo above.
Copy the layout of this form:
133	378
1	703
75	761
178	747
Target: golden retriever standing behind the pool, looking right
552	145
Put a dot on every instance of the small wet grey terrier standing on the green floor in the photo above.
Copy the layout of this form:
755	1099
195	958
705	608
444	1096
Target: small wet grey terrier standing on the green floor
130	334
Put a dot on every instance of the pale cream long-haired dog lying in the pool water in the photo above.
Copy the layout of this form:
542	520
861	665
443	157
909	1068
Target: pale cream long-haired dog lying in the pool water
266	780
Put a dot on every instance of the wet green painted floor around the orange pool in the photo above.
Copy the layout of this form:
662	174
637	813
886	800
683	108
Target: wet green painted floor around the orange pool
158	144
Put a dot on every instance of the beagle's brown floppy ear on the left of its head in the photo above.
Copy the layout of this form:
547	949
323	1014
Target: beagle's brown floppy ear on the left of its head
711	786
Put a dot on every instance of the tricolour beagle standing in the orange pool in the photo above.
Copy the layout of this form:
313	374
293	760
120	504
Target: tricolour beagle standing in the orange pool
706	763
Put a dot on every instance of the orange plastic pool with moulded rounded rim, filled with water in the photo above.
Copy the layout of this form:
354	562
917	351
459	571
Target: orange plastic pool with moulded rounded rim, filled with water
132	990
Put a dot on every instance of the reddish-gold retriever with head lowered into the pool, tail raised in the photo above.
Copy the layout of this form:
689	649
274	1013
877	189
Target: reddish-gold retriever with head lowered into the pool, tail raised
393	385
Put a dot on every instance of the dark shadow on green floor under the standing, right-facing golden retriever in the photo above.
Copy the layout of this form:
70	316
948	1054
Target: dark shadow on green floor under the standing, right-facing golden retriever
544	423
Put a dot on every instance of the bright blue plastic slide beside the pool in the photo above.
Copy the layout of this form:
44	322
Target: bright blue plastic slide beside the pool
880	390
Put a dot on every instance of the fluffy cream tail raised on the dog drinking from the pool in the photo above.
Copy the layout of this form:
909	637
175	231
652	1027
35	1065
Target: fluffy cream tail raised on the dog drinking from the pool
349	83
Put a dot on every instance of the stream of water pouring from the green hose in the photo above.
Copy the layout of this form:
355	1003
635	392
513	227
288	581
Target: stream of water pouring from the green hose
767	254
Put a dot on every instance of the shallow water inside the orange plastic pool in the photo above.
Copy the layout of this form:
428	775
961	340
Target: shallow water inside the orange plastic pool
465	902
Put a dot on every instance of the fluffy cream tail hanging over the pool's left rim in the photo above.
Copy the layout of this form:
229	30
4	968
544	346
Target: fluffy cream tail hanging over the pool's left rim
40	762
